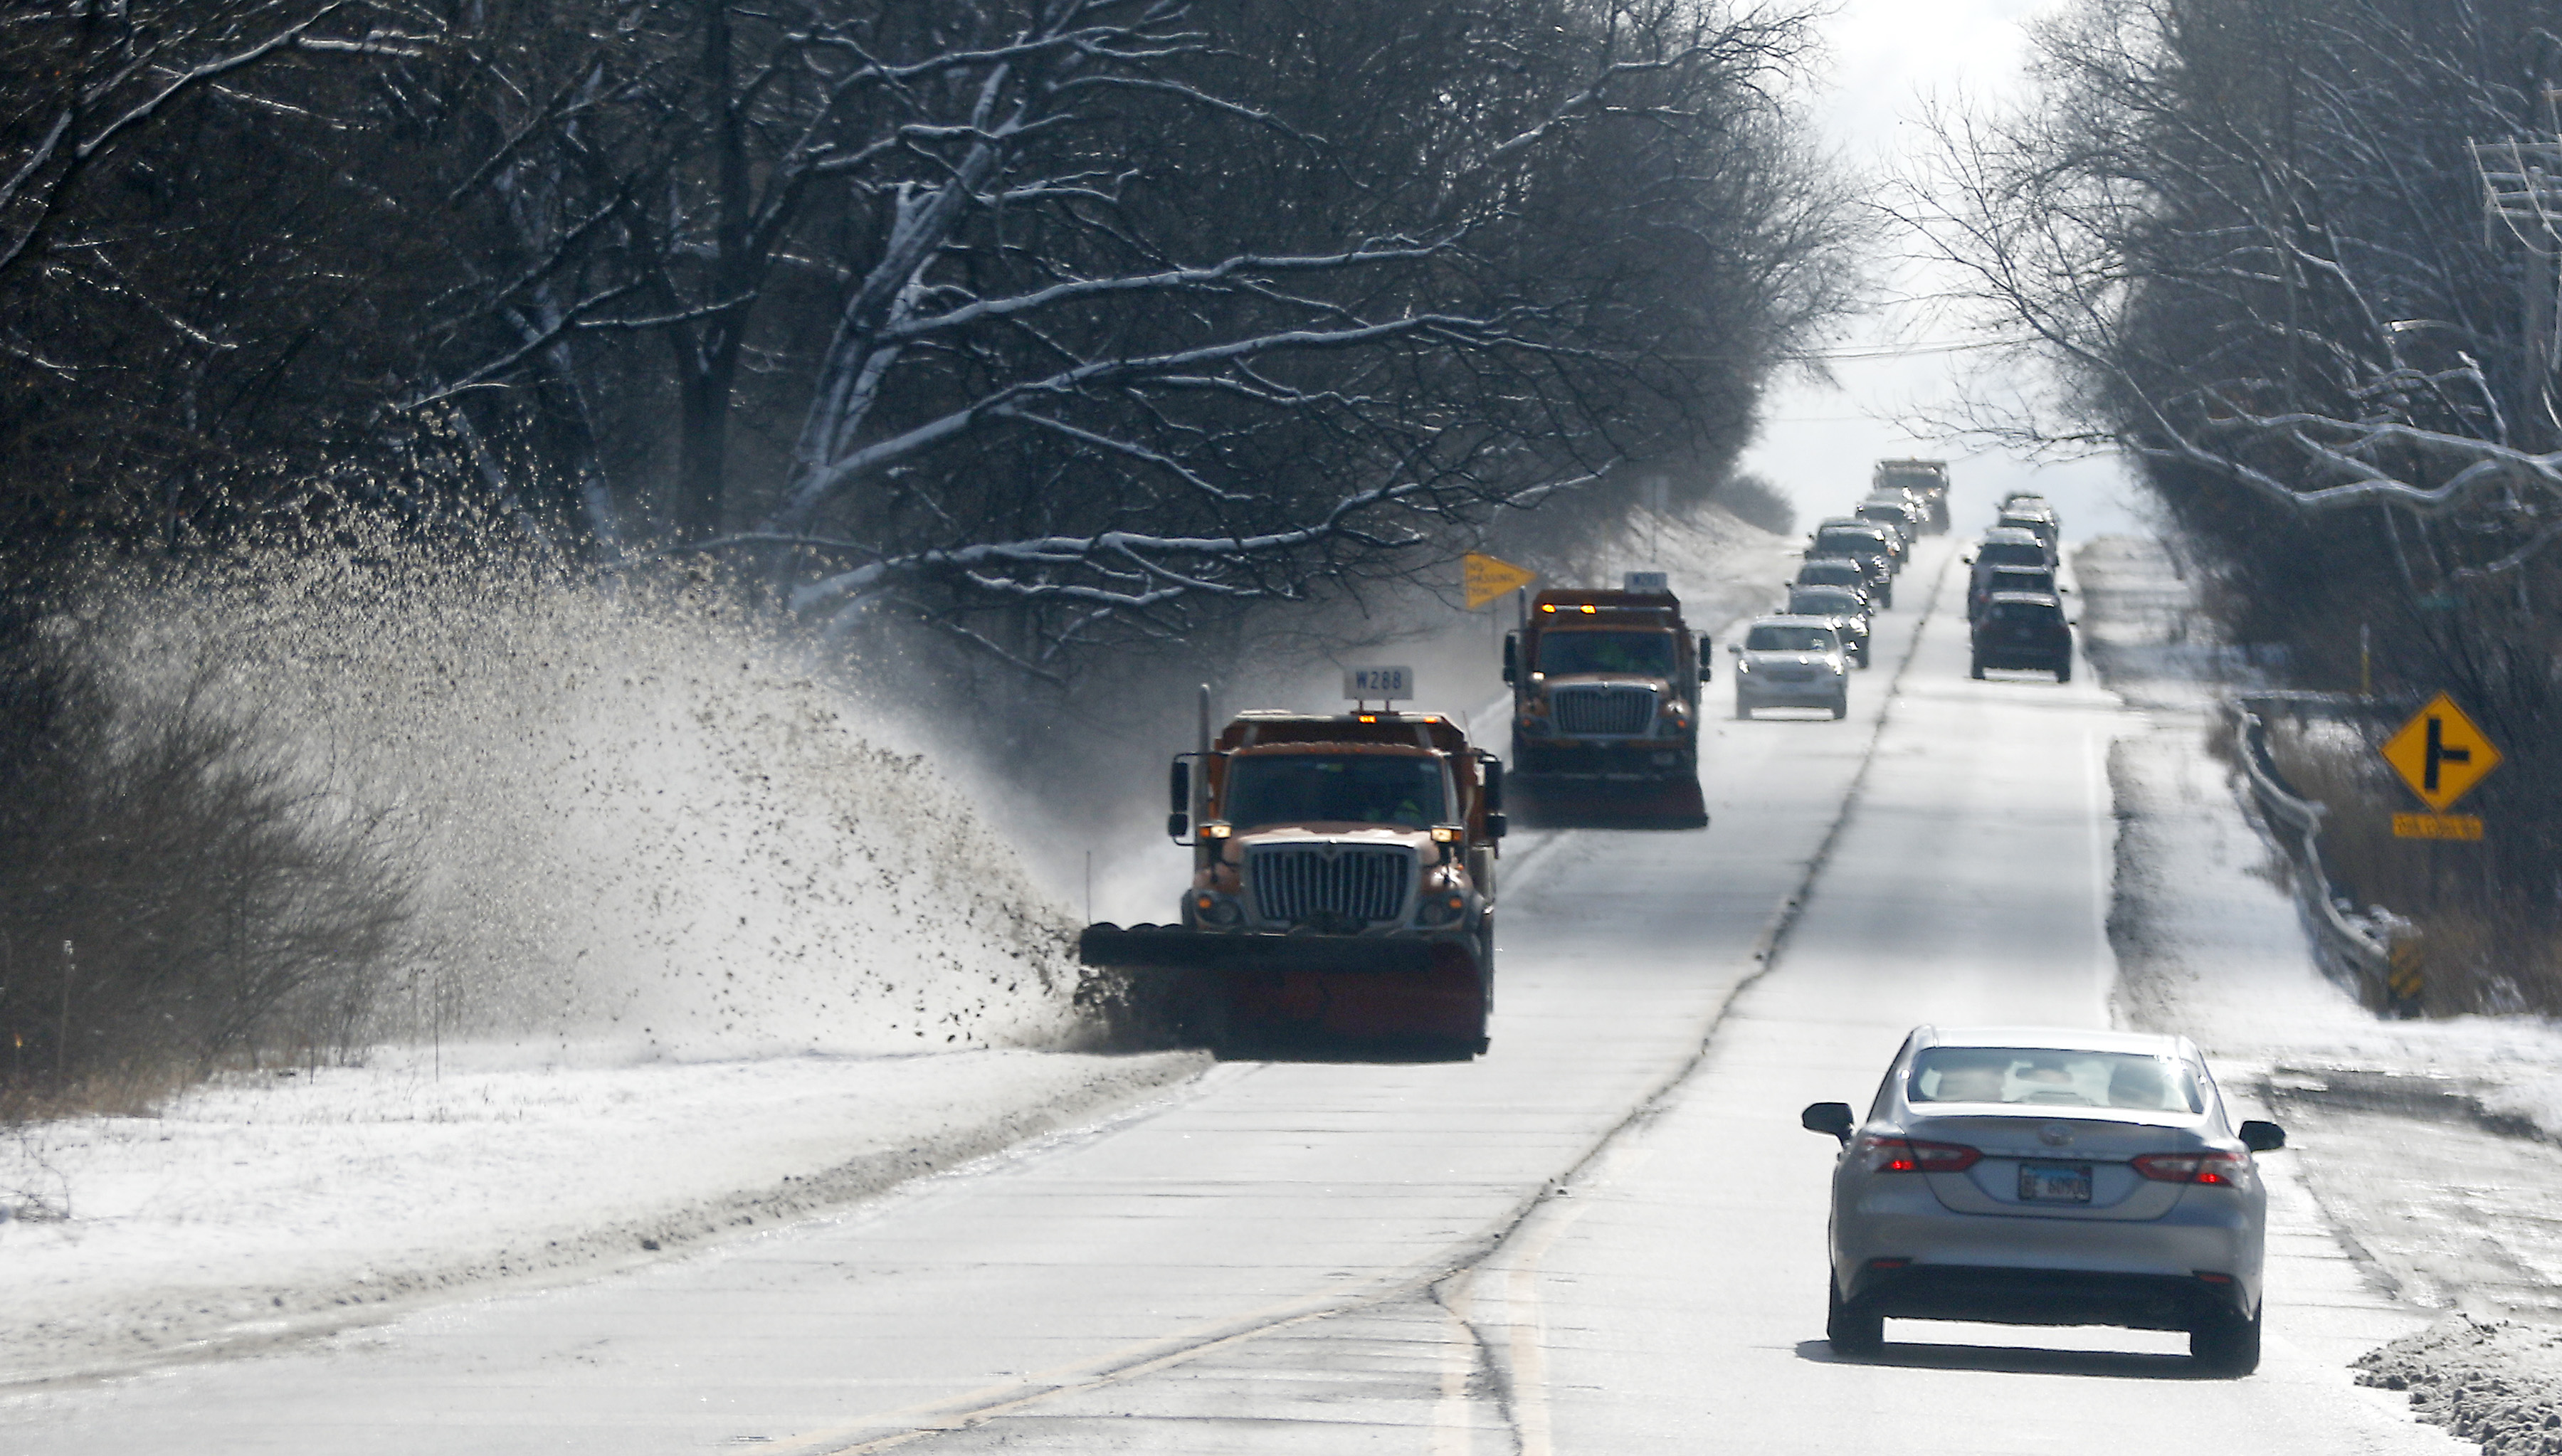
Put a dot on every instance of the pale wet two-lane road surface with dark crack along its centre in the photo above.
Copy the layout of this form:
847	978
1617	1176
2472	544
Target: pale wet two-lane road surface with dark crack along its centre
1351	1257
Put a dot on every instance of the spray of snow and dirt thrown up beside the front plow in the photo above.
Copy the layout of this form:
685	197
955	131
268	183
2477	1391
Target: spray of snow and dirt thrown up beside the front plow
639	827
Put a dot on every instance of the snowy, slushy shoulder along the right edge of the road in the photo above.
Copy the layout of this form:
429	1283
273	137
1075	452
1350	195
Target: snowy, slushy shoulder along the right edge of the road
2435	1147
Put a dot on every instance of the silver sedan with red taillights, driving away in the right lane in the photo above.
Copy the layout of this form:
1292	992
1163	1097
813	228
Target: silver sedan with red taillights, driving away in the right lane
2048	1178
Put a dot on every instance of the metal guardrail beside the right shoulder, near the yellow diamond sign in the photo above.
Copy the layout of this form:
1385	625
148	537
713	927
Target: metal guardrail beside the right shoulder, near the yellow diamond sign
2374	955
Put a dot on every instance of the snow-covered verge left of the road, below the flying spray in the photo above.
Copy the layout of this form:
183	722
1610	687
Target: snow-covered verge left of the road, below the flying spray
281	1206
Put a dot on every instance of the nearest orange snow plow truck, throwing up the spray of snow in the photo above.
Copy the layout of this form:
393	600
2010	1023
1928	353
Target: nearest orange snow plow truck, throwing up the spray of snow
1341	881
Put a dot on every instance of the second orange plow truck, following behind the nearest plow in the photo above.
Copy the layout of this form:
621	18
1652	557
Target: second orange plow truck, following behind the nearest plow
1605	709
